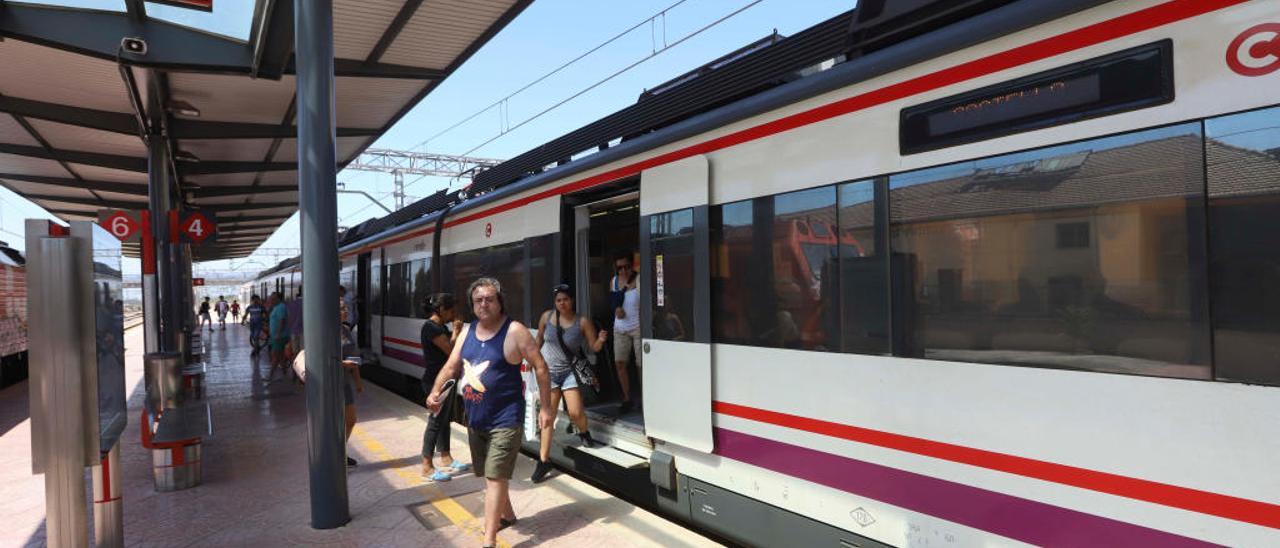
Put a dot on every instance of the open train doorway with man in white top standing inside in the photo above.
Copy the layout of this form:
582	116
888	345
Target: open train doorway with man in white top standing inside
607	236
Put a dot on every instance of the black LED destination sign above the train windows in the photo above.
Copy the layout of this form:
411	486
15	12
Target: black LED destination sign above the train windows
1126	81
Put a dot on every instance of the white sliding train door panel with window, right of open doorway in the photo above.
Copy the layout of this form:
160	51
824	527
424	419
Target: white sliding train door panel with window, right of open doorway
675	293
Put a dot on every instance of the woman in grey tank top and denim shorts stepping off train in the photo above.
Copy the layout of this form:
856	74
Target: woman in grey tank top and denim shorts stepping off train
564	336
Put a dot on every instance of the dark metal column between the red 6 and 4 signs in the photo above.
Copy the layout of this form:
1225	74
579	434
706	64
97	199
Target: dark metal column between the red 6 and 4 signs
162	202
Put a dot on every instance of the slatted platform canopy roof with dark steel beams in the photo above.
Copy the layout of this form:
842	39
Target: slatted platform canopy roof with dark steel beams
77	109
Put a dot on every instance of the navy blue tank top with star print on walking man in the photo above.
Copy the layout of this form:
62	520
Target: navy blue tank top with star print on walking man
492	389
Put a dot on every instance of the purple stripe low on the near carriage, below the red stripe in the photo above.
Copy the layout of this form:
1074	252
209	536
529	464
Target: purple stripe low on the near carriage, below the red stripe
1005	515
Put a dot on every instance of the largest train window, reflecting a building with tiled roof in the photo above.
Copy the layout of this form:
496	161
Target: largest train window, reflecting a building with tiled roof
990	282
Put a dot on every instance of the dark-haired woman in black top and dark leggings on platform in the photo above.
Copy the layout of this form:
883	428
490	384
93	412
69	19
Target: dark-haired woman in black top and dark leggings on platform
437	344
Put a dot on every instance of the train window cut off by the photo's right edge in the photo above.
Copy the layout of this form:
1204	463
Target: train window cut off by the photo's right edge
1244	158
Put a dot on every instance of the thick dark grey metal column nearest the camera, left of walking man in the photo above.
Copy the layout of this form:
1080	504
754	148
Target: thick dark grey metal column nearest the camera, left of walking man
318	208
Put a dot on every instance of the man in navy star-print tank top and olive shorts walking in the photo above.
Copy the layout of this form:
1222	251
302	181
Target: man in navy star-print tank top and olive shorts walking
490	358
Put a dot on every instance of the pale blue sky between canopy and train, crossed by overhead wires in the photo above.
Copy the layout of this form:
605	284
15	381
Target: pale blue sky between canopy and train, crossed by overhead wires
548	34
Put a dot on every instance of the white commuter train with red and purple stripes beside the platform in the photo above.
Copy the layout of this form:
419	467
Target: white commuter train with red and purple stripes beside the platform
930	273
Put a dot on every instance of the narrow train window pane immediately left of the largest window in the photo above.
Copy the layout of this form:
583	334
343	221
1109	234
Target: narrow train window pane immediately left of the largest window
863	273
